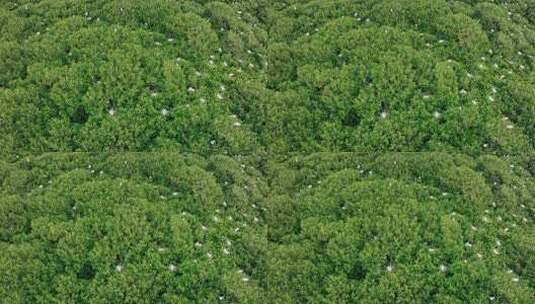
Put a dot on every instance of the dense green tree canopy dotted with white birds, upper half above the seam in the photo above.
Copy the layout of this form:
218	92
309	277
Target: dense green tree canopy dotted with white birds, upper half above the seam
279	76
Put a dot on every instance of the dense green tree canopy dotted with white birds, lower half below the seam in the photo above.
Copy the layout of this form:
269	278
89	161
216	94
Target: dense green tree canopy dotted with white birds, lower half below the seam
325	228
